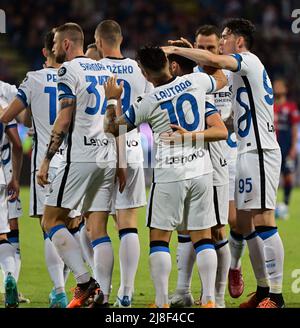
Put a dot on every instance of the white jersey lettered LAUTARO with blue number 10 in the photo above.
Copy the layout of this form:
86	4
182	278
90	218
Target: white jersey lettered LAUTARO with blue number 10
182	102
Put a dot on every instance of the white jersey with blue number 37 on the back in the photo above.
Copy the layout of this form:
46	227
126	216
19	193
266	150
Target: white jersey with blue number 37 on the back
82	79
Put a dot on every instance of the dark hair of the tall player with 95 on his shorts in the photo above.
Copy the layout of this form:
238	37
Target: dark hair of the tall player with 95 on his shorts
242	27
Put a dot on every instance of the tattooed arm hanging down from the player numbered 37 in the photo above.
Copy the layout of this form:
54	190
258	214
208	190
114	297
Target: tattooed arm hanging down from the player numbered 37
58	134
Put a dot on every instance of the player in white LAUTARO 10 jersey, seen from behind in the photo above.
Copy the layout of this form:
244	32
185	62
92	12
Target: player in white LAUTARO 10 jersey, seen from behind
182	185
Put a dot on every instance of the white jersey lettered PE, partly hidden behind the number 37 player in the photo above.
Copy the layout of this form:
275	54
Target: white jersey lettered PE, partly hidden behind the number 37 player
38	91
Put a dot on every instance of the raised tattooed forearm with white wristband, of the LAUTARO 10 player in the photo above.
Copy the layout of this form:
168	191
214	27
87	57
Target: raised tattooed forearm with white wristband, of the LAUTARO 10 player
116	125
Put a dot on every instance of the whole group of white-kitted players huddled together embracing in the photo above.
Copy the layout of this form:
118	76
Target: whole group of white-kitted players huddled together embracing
217	162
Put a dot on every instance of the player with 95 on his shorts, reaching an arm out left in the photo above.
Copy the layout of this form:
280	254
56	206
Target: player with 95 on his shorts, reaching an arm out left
259	158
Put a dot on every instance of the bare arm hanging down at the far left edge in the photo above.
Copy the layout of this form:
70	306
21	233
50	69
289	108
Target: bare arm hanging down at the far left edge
17	161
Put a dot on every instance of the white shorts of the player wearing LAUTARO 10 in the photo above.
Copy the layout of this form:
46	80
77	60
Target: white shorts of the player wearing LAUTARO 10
182	205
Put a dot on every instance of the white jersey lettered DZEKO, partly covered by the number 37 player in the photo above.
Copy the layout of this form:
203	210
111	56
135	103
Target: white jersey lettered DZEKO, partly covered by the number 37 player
134	84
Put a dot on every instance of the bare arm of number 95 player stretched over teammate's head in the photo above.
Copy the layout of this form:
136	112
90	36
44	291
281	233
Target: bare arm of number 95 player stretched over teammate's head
204	57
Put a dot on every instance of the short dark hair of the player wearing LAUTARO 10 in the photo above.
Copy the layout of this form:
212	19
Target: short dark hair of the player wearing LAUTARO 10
152	58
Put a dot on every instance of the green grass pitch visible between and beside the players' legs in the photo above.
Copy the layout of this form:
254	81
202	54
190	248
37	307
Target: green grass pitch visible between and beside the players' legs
35	283
